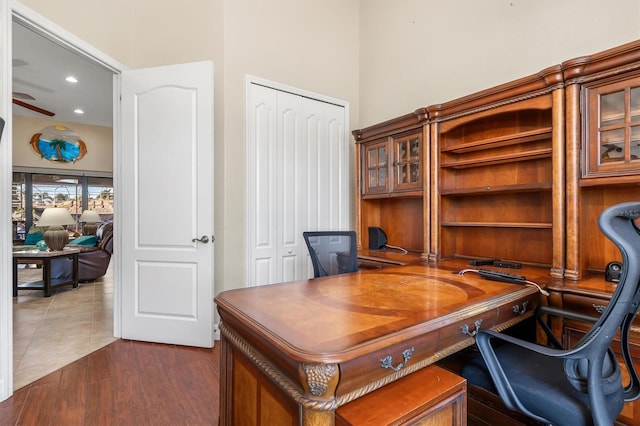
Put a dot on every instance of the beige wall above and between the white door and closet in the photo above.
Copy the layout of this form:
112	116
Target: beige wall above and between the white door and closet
308	44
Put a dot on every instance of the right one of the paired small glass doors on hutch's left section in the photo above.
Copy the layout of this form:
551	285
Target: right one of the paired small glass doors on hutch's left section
407	162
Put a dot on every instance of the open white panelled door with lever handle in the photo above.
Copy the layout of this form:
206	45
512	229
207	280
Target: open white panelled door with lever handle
167	192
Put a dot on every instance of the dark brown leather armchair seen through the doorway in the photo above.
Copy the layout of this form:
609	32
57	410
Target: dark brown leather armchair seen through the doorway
92	261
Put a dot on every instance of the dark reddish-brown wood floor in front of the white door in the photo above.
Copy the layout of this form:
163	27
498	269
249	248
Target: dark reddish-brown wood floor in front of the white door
124	383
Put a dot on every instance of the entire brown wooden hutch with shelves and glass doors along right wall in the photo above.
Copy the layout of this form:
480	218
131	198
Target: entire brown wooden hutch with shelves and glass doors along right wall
518	172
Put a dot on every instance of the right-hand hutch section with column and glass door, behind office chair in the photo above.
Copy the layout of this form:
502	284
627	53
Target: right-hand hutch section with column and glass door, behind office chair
603	131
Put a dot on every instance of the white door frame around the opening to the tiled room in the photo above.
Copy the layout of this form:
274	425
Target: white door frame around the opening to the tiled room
8	10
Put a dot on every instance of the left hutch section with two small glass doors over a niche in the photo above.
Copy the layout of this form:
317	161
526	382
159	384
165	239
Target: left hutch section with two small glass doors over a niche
392	172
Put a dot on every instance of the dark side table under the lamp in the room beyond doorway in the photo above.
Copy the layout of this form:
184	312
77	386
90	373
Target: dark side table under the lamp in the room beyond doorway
44	257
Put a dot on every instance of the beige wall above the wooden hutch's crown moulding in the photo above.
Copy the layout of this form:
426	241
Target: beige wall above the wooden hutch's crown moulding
416	53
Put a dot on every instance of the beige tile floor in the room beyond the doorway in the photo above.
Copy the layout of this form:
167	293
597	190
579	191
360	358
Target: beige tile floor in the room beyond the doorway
51	332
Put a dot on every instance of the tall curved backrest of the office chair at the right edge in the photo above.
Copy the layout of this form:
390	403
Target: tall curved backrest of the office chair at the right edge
619	224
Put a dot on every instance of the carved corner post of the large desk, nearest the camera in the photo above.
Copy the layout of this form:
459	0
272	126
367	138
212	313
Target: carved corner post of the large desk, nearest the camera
319	382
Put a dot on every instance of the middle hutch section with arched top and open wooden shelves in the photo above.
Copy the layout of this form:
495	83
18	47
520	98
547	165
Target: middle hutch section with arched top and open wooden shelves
497	164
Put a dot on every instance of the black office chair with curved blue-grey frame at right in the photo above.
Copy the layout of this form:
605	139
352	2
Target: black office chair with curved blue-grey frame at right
581	385
